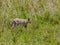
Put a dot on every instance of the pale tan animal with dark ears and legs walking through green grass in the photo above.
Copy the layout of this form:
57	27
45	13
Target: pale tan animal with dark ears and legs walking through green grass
18	21
